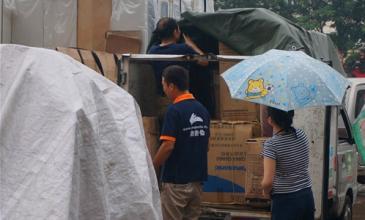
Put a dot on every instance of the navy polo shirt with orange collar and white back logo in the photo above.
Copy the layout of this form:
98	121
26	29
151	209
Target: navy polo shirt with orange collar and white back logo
187	123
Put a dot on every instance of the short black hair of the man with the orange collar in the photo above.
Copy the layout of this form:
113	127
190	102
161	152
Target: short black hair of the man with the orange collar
177	75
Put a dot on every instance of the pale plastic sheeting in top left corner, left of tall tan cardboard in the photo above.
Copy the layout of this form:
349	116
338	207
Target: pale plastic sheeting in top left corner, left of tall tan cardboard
43	23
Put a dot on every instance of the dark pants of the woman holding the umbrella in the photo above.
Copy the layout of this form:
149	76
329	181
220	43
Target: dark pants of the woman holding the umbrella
293	206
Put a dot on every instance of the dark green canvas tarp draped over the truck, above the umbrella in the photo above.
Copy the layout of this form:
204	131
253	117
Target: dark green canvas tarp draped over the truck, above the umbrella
253	31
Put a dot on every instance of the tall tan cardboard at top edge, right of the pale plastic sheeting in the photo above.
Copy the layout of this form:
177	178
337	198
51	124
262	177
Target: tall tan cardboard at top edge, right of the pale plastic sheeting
93	21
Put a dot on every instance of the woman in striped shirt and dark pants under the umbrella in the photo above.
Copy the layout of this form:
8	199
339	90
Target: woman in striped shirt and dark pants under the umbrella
286	169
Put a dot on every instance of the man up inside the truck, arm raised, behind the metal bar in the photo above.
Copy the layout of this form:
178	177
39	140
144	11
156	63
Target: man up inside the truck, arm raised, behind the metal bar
169	34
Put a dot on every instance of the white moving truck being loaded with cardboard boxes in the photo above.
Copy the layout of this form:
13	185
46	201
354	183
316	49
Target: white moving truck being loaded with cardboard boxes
333	160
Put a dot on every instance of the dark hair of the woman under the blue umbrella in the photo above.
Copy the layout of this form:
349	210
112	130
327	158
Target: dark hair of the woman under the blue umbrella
281	118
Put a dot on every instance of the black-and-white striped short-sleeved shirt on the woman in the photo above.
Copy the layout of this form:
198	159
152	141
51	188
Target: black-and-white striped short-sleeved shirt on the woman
291	154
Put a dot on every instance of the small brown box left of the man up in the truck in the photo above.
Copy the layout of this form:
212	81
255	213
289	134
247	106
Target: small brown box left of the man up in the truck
123	42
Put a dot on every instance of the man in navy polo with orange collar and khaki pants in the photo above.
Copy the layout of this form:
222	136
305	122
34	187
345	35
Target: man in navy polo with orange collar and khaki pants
184	148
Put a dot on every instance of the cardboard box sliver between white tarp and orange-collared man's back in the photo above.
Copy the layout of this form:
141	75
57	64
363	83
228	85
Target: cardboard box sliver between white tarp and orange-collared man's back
151	131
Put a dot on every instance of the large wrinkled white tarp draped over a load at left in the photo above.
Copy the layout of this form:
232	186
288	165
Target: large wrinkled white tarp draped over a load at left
71	142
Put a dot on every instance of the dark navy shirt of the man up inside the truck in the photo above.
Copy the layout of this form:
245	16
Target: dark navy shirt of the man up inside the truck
159	66
